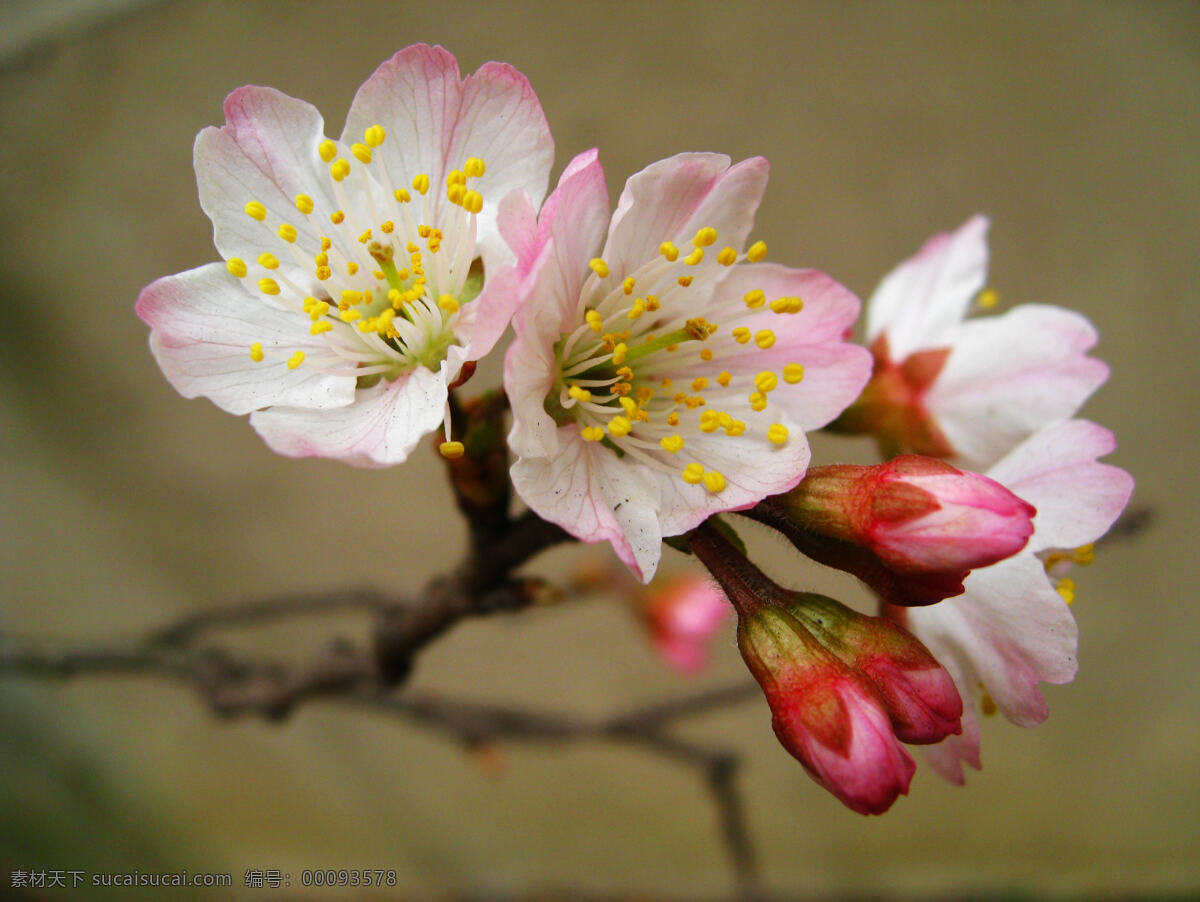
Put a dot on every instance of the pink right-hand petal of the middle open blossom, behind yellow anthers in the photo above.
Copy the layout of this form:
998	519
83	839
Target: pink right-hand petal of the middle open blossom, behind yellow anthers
835	370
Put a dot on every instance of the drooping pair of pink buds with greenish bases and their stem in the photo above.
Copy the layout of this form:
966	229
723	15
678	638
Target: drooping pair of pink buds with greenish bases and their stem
844	689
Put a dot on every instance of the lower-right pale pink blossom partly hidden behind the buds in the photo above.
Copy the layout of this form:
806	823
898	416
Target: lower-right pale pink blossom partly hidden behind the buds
1012	628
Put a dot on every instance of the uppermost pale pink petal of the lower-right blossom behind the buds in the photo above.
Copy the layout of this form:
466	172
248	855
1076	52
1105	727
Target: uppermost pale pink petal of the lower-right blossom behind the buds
1057	471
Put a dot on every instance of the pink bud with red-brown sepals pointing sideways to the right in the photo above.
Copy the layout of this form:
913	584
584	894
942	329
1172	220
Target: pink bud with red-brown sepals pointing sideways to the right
911	528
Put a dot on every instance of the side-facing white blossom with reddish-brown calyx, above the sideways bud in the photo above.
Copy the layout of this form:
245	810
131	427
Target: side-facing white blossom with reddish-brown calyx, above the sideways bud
969	389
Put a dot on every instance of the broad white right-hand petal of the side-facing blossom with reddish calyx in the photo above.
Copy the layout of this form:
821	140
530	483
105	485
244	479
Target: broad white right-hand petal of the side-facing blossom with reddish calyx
1010	376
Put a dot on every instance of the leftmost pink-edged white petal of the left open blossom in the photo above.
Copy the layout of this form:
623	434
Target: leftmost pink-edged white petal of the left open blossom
203	326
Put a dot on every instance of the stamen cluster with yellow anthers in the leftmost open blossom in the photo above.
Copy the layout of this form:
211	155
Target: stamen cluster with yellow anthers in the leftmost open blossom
380	272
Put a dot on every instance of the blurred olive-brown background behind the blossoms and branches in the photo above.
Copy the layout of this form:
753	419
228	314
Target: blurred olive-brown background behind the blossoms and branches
1076	127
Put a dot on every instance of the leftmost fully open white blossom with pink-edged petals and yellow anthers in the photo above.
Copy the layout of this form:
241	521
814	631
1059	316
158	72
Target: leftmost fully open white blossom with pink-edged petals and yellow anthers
350	296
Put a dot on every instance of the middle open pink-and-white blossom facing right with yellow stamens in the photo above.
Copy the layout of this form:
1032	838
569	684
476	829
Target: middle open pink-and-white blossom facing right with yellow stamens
662	371
